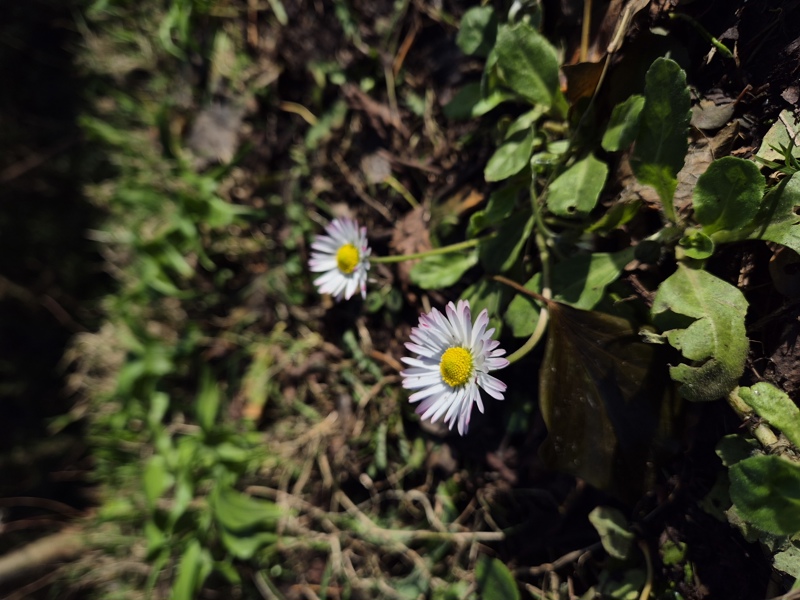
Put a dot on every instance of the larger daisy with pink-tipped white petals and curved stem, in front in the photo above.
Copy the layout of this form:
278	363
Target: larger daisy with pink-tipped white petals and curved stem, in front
453	361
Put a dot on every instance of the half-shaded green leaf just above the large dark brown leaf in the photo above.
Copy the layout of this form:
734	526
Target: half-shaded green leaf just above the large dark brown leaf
581	281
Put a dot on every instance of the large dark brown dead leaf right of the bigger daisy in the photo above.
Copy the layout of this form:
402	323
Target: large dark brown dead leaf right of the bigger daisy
606	399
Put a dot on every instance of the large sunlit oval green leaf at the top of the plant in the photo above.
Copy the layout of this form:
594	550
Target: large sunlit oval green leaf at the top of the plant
528	63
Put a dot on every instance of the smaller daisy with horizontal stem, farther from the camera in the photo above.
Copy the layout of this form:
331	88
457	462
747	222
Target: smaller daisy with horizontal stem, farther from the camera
342	256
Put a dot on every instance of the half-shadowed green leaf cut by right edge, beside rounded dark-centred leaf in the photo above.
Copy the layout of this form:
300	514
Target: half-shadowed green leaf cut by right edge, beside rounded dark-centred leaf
776	220
